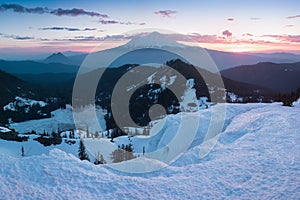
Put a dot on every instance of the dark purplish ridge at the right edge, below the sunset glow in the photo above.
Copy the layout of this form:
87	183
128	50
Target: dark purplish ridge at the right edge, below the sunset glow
281	78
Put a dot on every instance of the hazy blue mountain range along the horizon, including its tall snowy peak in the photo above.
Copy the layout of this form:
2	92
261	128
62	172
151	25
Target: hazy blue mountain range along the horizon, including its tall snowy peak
154	47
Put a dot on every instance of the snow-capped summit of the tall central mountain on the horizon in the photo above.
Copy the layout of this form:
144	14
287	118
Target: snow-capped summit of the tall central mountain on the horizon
152	40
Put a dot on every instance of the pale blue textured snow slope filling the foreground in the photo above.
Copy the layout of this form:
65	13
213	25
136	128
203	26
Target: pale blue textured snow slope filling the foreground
257	156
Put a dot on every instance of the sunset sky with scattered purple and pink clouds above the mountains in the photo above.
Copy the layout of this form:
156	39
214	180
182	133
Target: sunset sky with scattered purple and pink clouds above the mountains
34	26
